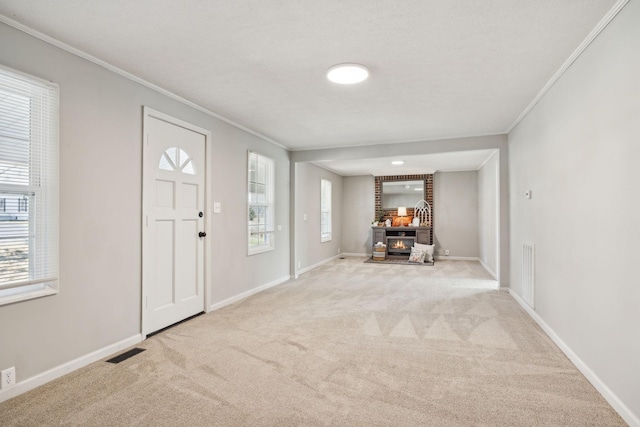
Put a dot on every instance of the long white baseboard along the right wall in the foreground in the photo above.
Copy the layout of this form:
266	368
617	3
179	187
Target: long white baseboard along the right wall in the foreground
622	409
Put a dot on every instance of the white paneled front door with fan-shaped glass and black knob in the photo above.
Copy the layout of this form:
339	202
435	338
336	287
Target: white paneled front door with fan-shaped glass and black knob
173	221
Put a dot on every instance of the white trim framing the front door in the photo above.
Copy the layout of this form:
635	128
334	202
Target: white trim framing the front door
149	113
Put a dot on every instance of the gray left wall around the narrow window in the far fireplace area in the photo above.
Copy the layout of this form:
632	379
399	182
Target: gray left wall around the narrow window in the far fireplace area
309	250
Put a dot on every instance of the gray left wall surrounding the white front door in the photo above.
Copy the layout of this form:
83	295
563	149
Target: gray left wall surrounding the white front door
100	211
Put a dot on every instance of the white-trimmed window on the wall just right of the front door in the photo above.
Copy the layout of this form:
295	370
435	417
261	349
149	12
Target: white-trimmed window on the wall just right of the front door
261	236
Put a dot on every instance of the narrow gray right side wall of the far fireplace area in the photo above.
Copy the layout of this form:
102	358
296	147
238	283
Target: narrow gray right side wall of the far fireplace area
488	214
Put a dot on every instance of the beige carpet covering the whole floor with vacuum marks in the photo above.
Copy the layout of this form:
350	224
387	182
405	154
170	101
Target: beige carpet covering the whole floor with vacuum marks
349	344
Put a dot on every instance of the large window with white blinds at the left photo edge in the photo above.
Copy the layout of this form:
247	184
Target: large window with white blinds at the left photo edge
28	187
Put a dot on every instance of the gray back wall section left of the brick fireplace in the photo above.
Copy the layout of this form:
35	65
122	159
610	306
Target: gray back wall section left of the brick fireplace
358	210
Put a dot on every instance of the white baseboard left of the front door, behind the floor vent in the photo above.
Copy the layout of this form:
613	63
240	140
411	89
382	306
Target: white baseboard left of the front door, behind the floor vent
54	373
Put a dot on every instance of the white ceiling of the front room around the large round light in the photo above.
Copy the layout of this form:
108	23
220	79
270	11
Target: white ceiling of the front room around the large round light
439	69
